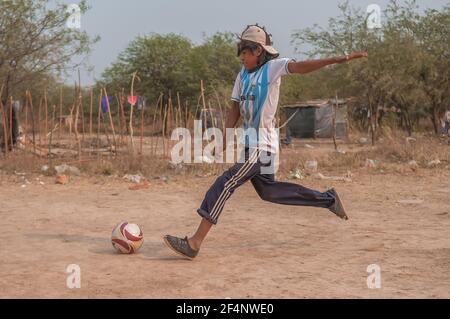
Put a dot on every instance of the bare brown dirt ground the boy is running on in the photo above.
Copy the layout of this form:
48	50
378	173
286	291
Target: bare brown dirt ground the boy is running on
399	222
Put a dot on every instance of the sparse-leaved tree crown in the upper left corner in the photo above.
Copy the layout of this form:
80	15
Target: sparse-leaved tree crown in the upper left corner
36	44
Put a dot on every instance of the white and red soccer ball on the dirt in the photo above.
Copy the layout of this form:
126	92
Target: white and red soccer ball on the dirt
127	238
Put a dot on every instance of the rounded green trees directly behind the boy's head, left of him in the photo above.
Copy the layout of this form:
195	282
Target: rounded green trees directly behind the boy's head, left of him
171	63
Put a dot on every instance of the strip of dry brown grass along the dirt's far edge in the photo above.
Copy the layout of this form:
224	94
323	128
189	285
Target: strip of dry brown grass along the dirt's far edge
390	153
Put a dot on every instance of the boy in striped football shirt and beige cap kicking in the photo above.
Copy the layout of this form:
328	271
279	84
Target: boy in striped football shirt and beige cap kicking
255	98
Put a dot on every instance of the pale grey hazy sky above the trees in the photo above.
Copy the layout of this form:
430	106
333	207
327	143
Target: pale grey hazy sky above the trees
118	22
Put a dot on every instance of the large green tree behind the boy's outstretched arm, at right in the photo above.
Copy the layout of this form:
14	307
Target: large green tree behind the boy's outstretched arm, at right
408	65
